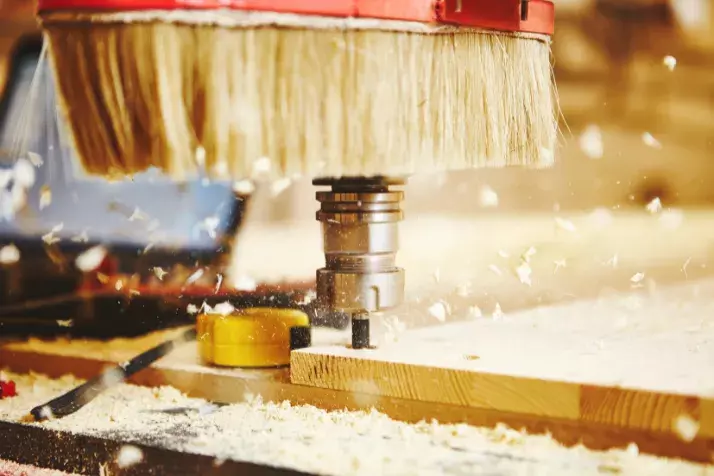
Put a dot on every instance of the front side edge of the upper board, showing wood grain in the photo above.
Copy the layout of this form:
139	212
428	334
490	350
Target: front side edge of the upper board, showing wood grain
616	407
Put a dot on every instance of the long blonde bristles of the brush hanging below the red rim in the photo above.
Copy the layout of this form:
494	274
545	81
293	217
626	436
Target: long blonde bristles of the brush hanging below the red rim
314	101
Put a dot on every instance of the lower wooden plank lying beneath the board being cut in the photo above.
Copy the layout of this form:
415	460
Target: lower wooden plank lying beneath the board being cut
183	371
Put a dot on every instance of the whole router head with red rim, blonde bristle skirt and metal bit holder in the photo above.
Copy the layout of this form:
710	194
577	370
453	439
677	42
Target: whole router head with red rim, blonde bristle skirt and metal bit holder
359	209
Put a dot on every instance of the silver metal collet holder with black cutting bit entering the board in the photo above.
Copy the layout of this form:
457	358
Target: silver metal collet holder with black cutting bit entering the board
360	218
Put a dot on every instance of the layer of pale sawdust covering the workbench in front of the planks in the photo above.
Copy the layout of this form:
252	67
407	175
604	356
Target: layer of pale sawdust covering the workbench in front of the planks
309	439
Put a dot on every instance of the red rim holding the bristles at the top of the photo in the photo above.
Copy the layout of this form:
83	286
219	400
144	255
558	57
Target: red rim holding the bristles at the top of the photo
527	16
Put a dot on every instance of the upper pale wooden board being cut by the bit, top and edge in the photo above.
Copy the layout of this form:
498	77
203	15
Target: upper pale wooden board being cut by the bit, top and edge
634	361
